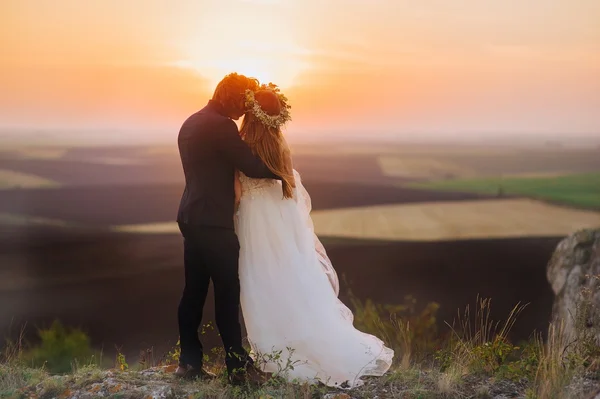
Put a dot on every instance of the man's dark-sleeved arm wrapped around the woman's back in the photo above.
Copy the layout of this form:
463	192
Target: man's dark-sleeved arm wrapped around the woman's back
233	148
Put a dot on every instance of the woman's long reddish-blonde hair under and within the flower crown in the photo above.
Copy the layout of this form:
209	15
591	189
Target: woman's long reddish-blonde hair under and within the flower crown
267	142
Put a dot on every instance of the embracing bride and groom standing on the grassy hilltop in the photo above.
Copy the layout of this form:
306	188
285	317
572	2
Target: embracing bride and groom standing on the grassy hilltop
244	216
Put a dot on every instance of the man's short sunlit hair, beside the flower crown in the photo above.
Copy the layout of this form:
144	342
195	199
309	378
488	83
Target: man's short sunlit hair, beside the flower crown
231	92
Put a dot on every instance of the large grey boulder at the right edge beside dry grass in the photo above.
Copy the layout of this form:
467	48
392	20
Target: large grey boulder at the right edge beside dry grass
574	274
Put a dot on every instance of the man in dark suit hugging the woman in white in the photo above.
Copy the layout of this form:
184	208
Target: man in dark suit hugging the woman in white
211	150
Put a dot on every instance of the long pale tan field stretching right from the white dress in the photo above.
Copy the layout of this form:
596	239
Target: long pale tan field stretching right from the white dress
454	221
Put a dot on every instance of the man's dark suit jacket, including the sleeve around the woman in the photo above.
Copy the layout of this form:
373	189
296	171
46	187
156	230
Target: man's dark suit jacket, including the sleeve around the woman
211	149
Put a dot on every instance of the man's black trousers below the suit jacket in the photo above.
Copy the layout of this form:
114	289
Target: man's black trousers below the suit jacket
211	253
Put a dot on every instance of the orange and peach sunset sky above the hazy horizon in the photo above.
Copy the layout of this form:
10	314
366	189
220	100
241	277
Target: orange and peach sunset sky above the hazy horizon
428	66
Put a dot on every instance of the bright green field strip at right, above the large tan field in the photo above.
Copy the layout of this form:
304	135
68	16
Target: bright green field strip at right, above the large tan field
579	190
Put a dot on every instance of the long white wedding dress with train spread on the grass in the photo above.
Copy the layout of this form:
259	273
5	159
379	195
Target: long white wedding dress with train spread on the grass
289	294
